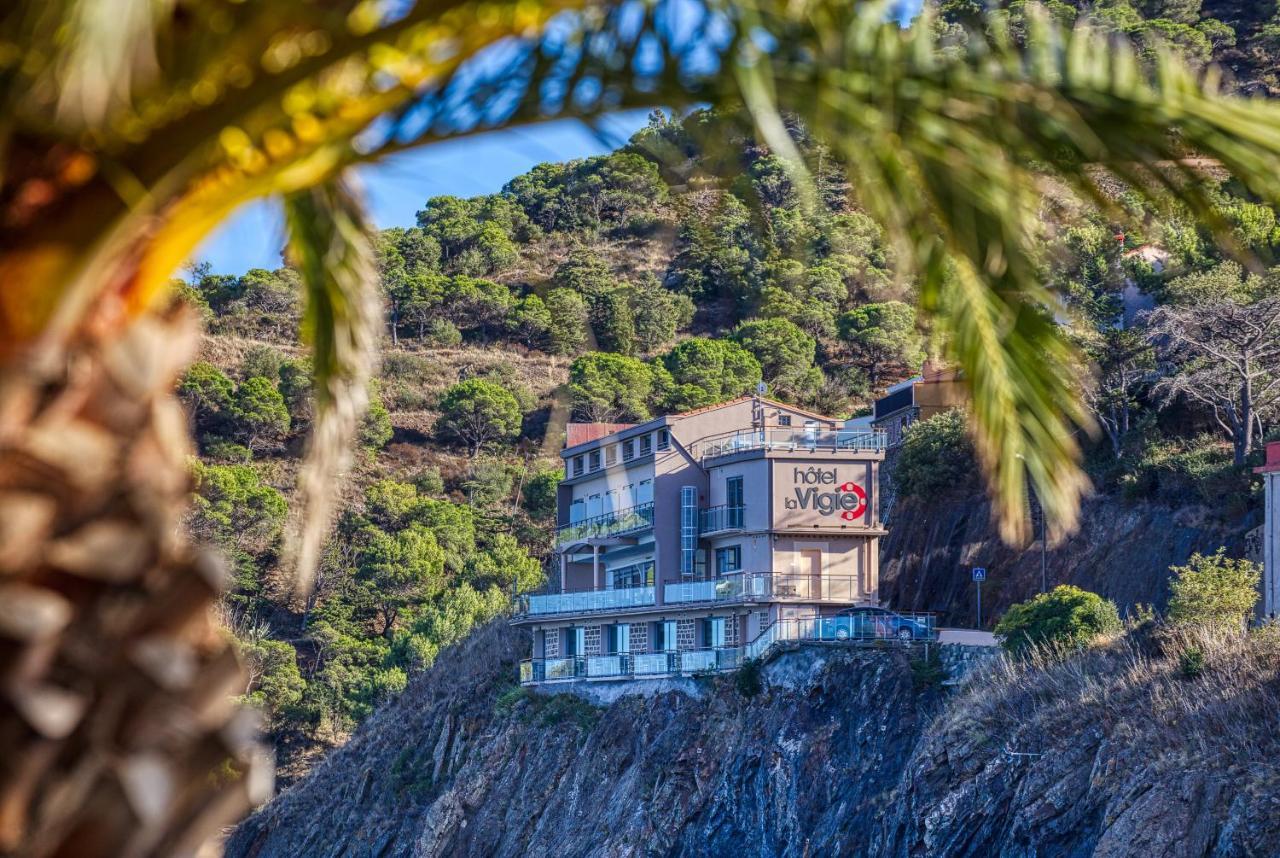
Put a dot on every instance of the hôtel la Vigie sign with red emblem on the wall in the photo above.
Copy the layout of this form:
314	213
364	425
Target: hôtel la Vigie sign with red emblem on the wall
825	496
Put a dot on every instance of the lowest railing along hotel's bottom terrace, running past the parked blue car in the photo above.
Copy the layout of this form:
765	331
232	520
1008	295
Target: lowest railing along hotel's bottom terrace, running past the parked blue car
838	631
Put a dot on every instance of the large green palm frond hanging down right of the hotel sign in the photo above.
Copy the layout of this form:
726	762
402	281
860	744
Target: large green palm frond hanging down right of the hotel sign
950	154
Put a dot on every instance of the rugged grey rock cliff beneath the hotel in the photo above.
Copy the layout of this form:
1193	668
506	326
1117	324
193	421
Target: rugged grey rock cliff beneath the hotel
843	752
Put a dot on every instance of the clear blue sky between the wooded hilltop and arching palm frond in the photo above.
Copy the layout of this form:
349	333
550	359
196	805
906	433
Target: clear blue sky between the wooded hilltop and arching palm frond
397	189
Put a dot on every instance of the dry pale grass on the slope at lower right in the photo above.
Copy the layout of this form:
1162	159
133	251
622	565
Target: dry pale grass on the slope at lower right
1137	690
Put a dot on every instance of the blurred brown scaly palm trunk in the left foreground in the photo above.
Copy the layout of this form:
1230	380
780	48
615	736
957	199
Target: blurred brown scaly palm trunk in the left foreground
118	686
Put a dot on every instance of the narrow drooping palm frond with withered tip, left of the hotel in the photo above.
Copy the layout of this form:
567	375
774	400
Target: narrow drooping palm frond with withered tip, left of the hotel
330	245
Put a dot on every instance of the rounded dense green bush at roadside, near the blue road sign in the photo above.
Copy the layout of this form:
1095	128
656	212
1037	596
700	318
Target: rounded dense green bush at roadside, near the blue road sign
1066	617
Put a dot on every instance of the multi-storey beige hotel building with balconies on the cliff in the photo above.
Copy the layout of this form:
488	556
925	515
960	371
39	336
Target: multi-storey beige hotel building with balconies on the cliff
682	541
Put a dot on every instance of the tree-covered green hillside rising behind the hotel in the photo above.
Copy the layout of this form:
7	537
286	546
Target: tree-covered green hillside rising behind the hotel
682	271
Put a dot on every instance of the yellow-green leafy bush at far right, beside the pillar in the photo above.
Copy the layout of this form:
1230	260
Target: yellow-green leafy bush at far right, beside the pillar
1214	591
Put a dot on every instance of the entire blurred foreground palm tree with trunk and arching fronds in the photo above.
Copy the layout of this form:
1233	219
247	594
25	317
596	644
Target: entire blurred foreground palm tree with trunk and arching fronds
132	129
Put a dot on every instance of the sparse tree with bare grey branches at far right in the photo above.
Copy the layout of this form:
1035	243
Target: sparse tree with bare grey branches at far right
1219	346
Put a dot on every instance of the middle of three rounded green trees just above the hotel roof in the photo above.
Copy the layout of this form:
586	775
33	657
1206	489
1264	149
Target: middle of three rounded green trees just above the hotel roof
703	372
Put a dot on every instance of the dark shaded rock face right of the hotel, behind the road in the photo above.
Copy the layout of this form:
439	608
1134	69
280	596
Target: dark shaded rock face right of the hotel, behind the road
1122	551
